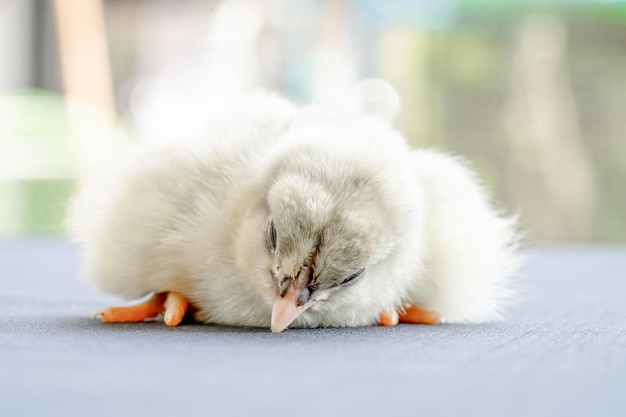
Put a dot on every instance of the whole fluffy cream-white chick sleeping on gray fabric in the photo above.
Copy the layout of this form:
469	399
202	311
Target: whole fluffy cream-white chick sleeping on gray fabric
302	217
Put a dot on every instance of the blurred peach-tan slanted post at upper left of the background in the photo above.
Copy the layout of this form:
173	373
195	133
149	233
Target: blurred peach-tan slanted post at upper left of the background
84	53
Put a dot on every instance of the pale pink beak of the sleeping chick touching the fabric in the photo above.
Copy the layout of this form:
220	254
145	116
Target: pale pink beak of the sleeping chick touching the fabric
289	303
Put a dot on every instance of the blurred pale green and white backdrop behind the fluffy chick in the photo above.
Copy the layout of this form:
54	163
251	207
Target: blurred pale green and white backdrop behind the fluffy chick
532	93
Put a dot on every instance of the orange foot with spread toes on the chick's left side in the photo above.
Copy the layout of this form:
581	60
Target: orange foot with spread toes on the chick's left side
171	304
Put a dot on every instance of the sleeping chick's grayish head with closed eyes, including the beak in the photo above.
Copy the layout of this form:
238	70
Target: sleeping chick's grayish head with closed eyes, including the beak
327	224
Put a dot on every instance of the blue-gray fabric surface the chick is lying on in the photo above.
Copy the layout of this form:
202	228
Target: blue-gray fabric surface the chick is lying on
561	352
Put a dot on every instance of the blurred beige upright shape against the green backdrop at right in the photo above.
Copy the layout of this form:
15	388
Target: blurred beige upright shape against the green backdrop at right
550	176
